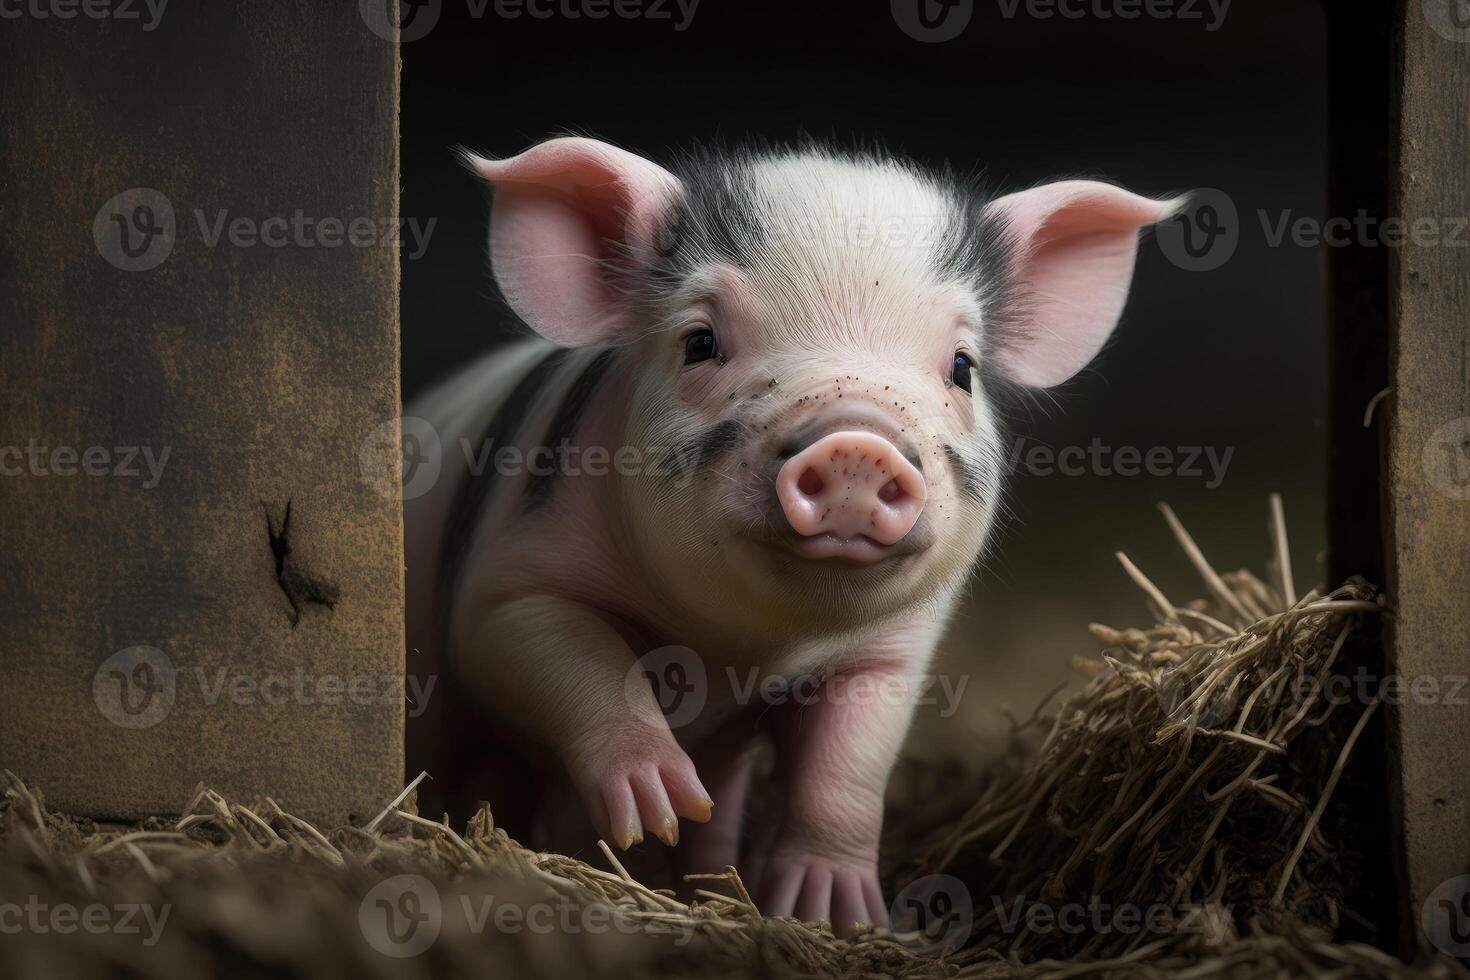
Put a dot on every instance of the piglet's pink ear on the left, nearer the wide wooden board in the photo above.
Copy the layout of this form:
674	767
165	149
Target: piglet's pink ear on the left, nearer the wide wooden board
567	217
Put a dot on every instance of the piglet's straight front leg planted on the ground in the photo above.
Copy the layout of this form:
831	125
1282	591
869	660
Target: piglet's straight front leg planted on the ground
836	750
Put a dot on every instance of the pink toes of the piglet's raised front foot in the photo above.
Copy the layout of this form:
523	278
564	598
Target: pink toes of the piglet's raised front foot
649	794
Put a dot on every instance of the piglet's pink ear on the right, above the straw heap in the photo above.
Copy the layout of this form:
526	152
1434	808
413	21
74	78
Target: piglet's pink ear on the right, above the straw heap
1077	243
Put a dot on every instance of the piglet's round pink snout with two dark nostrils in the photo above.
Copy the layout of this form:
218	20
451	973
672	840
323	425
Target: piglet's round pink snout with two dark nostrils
850	486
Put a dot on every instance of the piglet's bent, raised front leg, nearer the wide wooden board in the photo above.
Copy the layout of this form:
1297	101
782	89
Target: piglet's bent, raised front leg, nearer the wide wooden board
562	671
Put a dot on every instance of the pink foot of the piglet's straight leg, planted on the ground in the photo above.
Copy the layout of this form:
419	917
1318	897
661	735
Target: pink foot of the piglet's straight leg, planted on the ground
820	890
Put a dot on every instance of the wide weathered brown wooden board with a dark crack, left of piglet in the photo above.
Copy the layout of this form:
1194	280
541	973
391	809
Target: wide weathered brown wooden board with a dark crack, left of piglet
262	370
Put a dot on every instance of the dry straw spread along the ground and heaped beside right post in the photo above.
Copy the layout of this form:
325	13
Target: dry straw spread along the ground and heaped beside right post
1194	774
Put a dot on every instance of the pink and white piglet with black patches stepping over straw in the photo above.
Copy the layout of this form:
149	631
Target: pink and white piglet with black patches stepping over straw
756	427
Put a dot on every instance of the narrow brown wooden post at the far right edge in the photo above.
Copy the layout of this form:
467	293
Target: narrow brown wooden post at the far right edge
1430	458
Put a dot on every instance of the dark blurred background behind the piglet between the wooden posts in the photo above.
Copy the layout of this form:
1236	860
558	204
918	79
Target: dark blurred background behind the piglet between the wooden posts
1233	358
